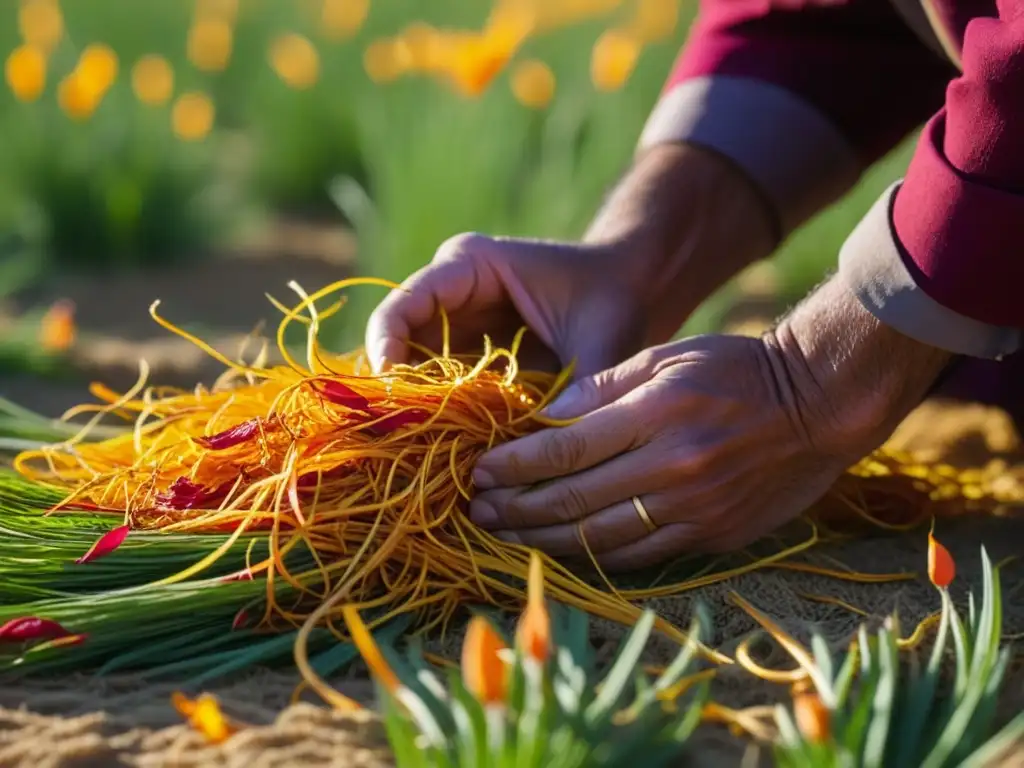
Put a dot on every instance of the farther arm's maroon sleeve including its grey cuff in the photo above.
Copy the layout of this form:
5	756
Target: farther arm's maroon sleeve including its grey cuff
802	96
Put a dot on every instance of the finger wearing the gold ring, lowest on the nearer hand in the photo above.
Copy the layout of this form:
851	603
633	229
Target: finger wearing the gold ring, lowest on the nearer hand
603	532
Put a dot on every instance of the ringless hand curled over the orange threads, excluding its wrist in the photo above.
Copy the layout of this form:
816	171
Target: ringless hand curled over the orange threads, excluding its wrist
573	297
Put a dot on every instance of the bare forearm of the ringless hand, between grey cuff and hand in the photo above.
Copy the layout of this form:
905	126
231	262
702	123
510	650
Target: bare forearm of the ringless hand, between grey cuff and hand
686	221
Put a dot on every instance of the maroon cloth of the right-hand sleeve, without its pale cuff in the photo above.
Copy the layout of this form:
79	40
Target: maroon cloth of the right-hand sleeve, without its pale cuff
959	217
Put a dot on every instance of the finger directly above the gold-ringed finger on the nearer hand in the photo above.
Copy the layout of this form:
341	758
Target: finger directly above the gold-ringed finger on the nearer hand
574	498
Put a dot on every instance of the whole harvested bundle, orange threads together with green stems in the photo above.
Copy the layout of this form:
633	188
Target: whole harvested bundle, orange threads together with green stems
281	496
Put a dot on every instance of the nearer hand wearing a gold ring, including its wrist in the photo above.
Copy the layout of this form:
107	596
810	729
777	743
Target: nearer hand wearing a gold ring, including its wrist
722	438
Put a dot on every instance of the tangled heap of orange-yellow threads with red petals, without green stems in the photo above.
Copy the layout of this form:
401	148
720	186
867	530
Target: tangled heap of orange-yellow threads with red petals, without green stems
351	488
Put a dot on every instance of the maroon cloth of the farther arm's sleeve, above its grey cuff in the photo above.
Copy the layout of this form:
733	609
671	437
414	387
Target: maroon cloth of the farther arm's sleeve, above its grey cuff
858	62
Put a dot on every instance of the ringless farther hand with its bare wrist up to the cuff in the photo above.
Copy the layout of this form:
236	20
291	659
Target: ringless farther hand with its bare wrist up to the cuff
664	242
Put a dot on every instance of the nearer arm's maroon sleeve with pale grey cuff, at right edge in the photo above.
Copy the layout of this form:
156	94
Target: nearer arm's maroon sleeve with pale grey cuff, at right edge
942	257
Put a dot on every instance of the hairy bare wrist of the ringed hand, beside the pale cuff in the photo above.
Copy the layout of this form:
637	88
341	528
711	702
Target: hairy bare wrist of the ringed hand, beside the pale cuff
850	379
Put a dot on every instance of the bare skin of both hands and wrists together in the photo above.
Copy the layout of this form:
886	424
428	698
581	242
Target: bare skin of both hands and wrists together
723	439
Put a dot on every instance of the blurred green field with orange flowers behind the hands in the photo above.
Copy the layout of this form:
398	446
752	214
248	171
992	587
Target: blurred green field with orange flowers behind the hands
144	143
